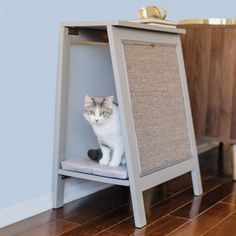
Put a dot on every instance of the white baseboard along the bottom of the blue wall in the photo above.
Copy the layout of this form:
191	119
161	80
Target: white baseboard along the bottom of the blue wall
74	189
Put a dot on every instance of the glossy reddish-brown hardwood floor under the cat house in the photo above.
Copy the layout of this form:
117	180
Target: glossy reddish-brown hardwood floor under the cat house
171	210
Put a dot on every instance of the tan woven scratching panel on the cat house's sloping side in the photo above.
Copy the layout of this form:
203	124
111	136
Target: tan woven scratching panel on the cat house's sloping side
157	104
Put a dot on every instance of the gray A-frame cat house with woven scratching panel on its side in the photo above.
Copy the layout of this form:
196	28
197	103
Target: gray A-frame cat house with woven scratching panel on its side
142	66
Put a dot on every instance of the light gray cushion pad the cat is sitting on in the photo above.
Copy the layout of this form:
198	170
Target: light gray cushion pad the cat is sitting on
88	166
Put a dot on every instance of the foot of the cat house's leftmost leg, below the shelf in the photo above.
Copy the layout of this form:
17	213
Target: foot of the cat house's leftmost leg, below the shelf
58	192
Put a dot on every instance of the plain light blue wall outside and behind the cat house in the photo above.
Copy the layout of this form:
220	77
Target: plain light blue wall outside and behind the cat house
28	68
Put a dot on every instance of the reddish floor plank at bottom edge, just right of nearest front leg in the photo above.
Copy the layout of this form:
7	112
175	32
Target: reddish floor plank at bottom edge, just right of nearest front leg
161	227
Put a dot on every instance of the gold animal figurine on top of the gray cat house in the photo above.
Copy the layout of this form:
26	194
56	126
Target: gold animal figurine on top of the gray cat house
152	12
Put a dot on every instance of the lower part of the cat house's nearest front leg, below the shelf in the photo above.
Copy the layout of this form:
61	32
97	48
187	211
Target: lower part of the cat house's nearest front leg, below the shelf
138	207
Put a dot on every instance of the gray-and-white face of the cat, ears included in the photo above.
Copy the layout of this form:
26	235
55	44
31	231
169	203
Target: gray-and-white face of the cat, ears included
98	110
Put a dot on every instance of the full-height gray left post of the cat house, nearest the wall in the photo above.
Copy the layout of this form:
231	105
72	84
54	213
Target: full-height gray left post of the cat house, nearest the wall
60	116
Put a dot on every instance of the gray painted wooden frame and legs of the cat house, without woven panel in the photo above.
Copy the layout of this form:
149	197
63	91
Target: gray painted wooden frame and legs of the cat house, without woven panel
117	32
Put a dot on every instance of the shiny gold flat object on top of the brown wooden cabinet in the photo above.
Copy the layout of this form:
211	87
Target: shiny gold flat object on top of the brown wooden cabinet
210	21
